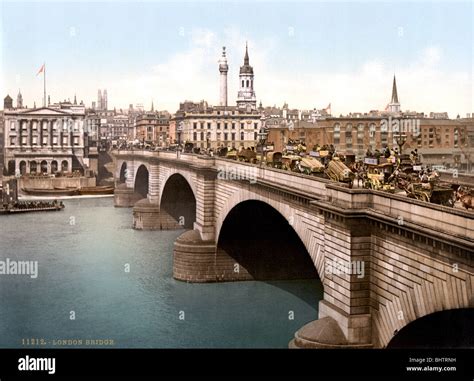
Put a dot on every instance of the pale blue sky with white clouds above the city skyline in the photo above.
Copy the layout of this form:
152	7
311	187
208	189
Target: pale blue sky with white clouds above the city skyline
308	54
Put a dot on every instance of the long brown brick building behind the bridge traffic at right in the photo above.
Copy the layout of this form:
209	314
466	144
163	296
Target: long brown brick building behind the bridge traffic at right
438	141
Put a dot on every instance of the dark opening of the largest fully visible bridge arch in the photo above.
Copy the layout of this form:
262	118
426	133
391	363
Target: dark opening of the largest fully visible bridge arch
263	242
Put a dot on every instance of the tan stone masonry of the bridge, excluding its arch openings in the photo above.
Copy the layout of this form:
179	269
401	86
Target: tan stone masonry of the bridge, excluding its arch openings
413	265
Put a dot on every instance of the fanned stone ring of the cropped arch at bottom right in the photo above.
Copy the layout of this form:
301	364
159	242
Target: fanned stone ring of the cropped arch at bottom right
419	303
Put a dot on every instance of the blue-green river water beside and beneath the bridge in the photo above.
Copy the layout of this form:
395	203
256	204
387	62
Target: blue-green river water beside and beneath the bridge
84	292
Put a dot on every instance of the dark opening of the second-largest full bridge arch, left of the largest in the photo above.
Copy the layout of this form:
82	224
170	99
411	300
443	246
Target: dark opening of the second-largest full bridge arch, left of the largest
178	200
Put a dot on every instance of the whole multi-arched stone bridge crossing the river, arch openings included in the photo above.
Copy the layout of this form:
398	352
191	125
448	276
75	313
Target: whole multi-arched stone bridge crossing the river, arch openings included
384	260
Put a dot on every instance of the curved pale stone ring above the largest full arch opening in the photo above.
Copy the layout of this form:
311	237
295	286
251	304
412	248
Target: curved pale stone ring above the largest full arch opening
313	240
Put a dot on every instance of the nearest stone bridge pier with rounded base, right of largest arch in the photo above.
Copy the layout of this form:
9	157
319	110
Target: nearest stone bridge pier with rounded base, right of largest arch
344	314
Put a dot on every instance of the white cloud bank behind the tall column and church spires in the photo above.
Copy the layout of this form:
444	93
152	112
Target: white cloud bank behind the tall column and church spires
193	74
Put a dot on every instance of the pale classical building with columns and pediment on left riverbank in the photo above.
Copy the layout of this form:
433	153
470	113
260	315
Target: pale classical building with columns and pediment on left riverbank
45	140
